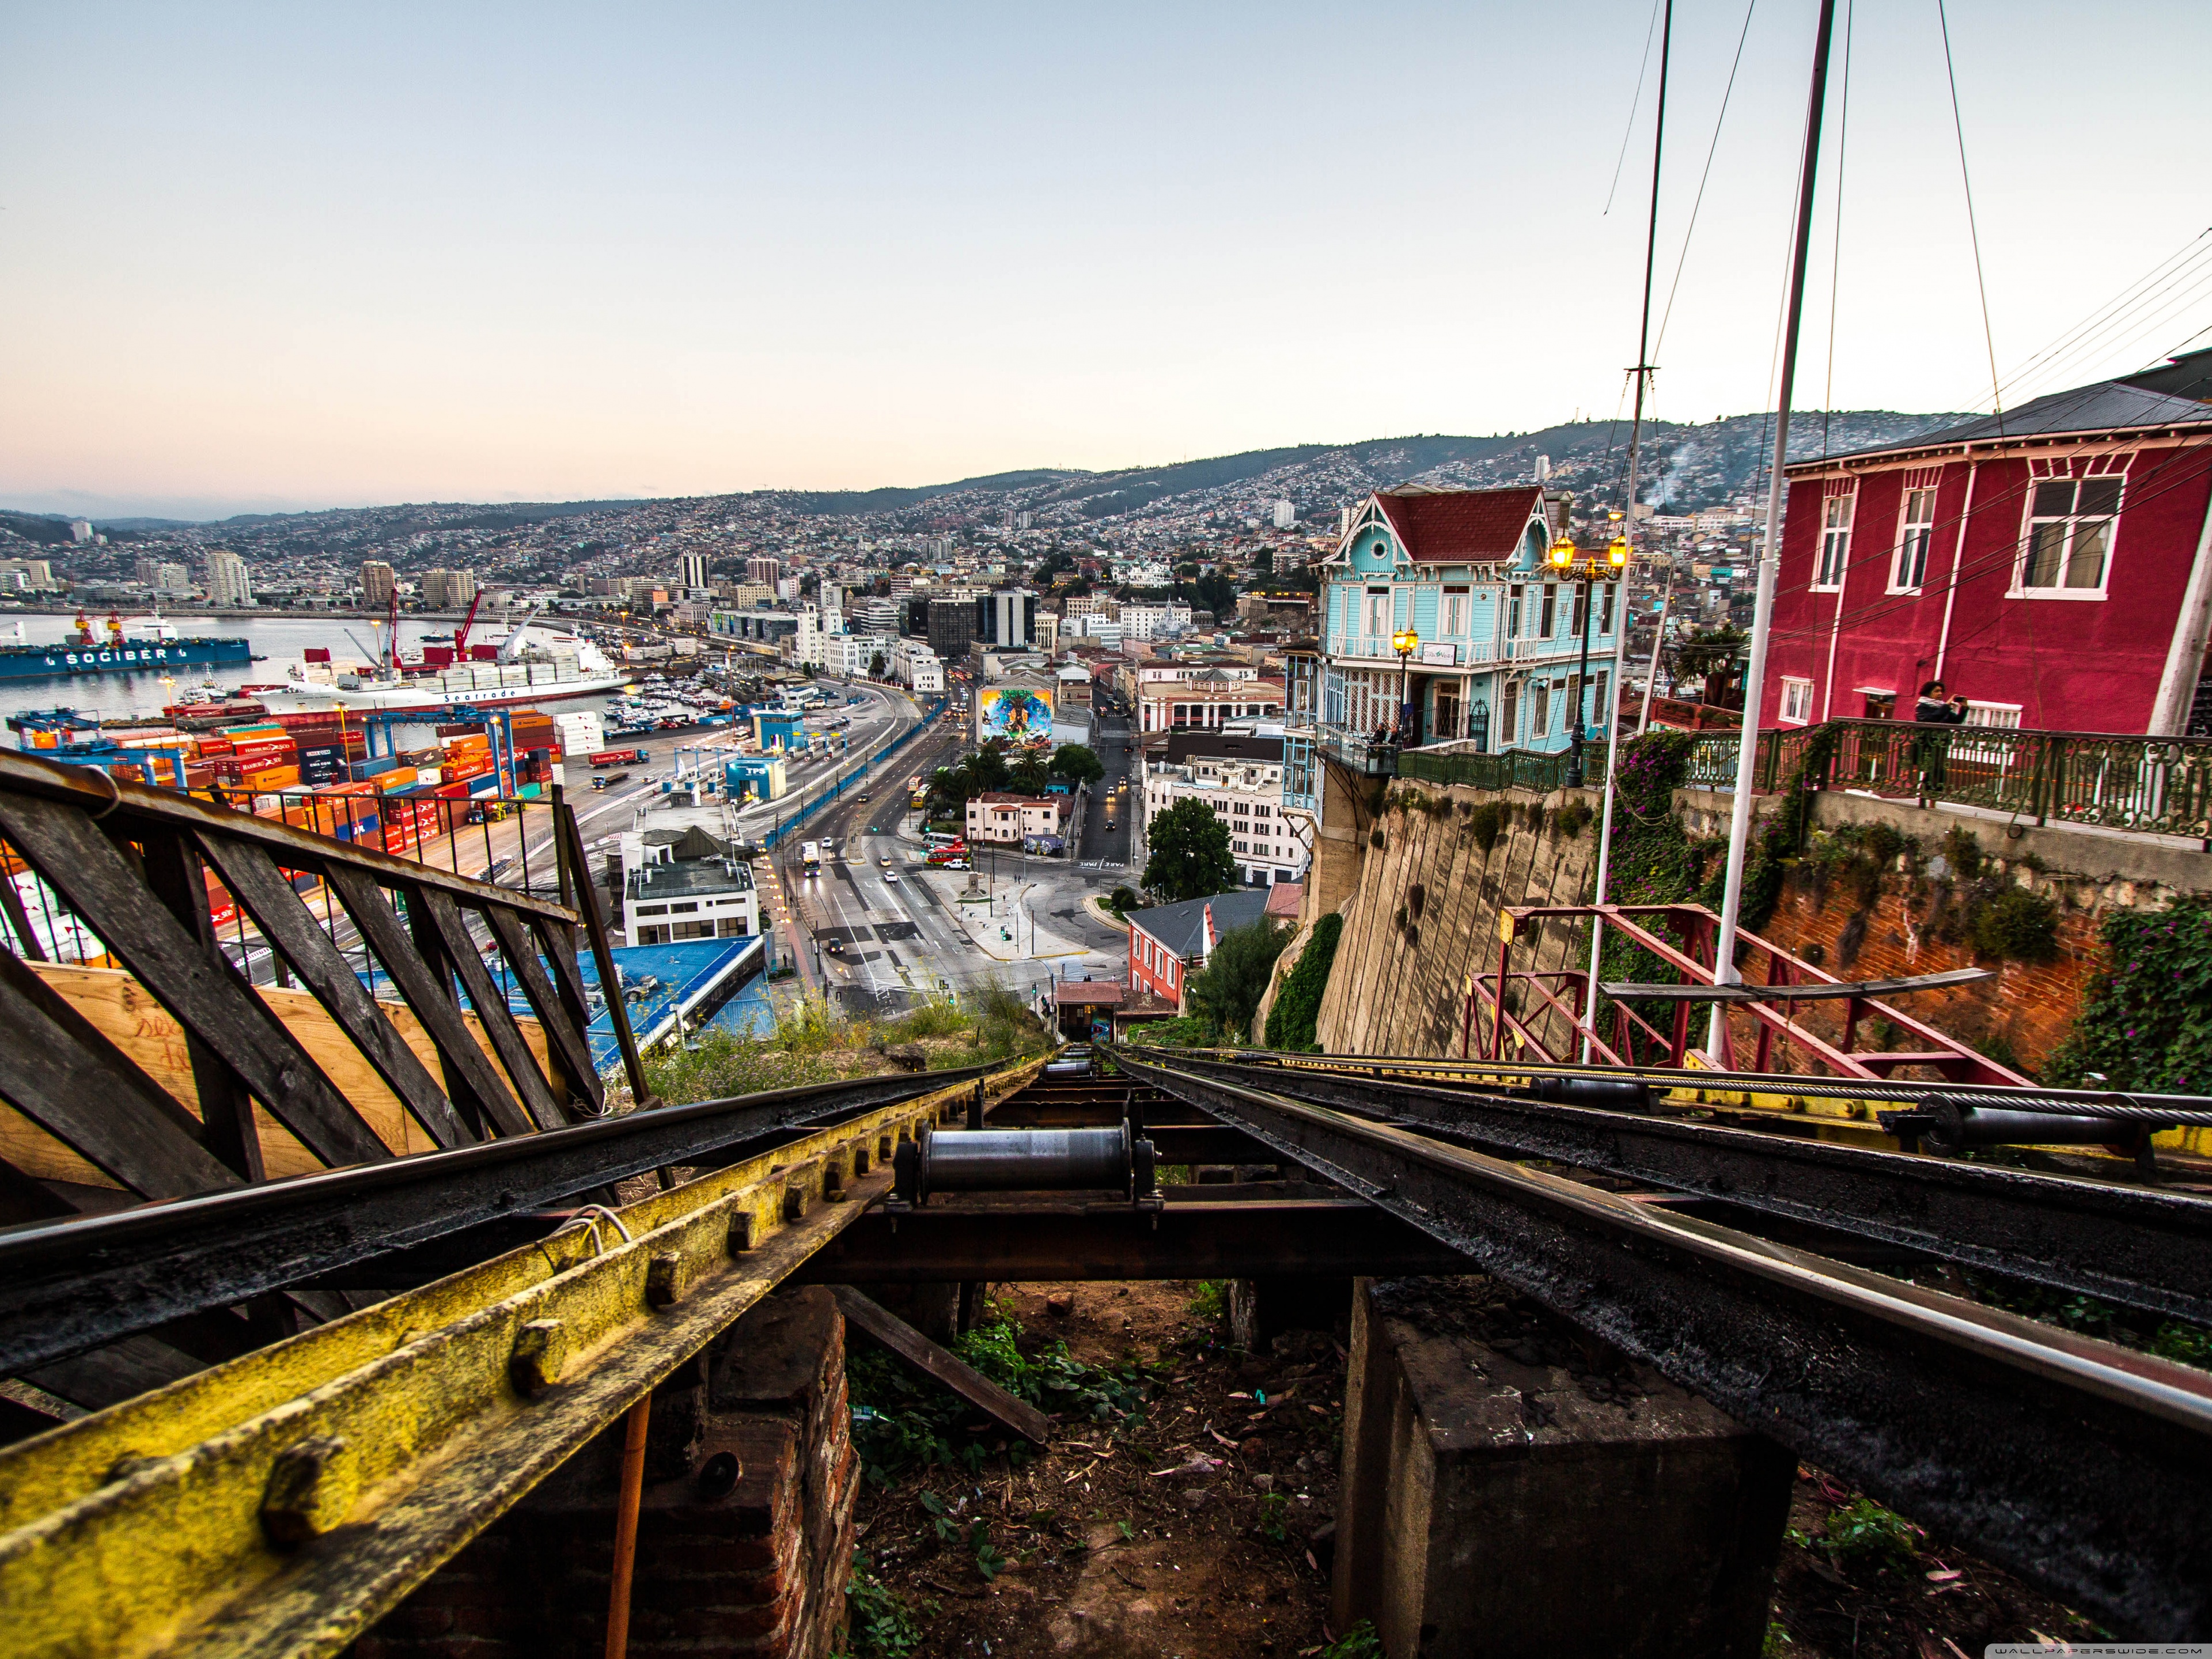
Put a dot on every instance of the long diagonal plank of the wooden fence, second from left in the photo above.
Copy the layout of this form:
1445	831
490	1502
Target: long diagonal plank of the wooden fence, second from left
209	1001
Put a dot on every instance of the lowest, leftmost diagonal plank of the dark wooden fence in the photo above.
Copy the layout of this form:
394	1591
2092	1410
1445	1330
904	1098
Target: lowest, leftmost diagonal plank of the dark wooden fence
63	1074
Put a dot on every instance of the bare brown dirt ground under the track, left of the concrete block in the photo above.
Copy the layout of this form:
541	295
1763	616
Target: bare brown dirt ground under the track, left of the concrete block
1182	1530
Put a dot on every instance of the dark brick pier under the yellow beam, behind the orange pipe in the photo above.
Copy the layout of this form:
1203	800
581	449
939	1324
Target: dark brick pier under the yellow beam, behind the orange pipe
744	1534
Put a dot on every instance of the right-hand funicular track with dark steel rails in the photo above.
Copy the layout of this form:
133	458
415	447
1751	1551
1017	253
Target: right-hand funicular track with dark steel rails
2080	1465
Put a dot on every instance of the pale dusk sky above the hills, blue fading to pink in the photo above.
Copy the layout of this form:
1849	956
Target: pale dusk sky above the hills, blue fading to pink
269	258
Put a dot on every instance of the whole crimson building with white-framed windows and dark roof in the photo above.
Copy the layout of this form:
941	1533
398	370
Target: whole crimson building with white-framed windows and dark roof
2052	565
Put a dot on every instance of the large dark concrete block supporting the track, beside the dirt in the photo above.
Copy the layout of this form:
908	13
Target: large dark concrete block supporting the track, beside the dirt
1519	1492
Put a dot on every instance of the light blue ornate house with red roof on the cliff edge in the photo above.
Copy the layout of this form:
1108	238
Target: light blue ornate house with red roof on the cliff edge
1499	656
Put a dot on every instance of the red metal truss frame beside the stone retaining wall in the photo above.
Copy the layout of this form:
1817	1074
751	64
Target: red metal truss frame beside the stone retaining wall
1567	992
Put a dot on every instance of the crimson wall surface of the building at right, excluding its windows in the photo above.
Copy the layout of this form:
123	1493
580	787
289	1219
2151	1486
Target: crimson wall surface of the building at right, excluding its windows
2072	665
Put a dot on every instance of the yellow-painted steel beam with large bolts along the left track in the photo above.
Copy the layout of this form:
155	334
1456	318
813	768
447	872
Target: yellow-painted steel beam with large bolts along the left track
286	1501
